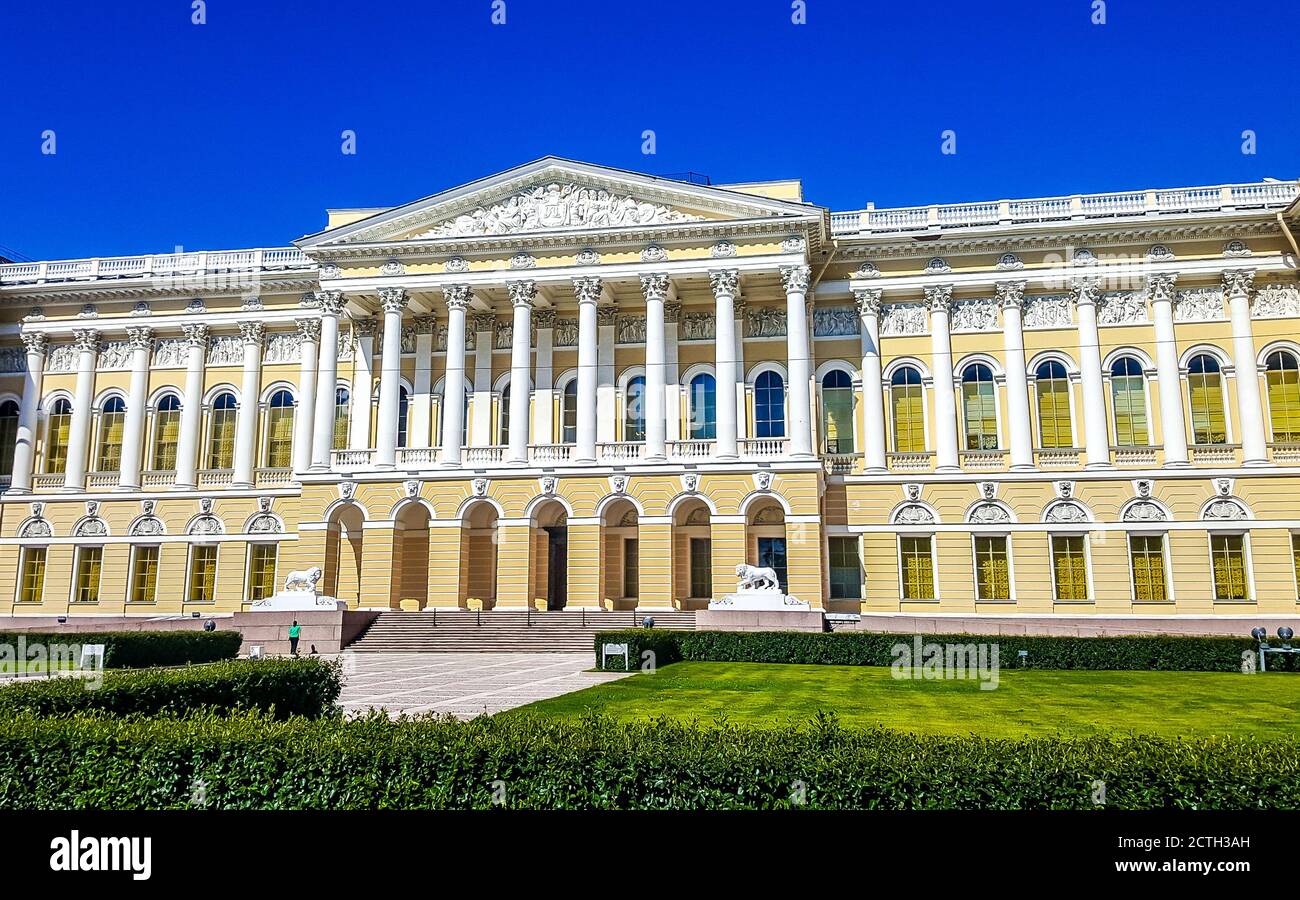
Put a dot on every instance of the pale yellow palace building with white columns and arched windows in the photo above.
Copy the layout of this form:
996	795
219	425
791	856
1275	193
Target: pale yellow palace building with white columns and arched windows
578	387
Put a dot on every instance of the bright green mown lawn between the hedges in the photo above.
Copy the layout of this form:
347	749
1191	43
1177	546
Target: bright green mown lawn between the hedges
1025	704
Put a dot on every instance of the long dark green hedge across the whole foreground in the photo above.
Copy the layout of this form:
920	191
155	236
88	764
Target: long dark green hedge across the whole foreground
252	763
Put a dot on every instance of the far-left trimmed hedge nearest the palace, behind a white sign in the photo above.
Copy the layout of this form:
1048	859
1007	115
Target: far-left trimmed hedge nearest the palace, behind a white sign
140	650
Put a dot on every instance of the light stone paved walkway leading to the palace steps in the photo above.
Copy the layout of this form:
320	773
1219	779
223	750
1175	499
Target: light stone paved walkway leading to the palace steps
463	685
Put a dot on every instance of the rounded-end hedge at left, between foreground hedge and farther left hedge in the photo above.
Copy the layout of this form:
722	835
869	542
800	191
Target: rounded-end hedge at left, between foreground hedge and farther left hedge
279	687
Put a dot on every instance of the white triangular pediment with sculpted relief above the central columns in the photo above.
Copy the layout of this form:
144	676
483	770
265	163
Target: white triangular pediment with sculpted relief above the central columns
554	197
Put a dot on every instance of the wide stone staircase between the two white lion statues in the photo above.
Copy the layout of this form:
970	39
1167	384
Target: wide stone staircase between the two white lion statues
504	631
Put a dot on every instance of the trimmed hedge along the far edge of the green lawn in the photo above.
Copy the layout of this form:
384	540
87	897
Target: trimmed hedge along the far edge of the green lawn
856	648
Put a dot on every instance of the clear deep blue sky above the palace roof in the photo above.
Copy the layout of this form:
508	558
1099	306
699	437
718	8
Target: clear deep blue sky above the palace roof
228	135
